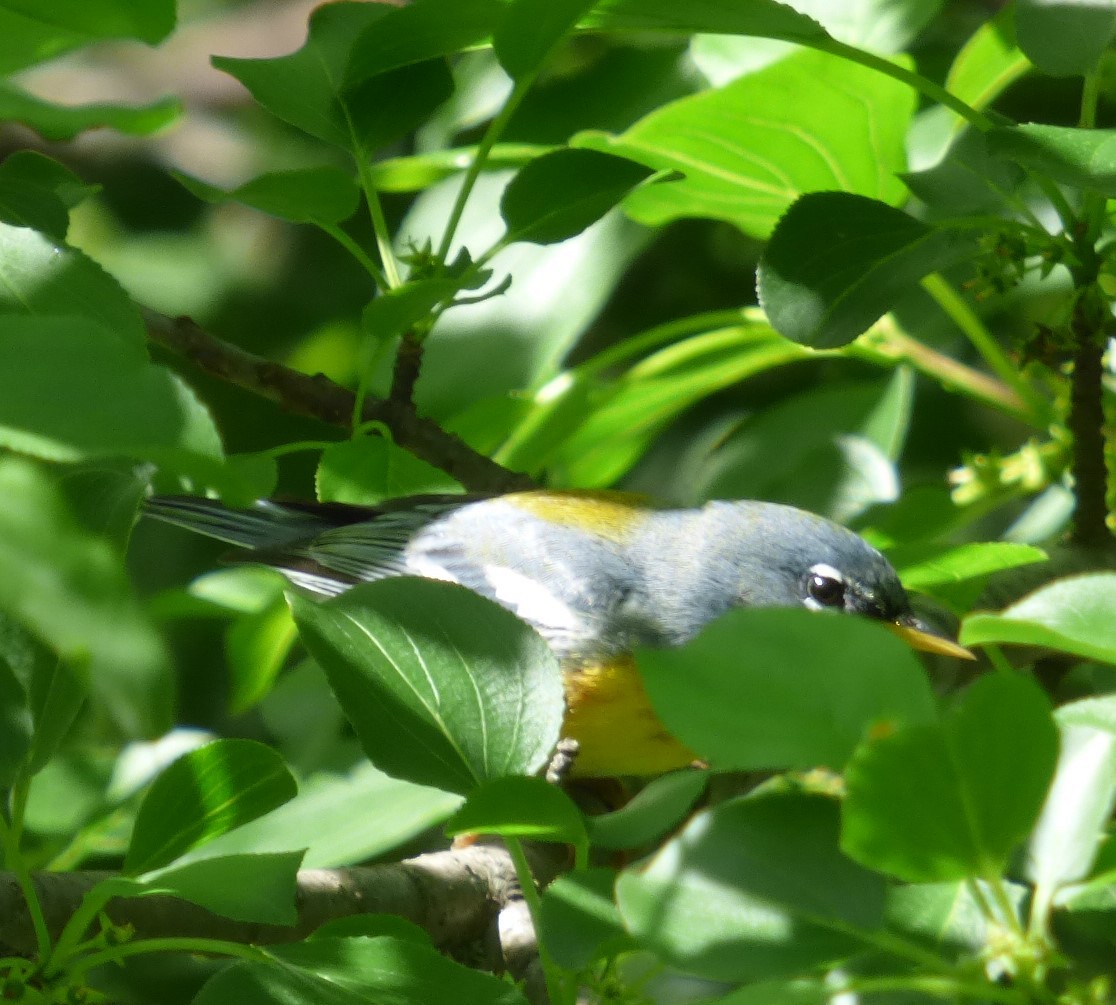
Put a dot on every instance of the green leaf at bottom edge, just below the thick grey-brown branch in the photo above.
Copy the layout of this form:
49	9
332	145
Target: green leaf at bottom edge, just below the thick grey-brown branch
389	970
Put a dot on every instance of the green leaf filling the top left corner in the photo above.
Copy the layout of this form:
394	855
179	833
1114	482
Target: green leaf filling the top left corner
33	32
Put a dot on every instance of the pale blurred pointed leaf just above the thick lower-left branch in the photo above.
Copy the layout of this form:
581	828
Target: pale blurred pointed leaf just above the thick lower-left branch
330	819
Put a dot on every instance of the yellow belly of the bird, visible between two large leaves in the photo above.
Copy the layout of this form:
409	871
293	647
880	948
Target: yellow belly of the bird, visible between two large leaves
611	718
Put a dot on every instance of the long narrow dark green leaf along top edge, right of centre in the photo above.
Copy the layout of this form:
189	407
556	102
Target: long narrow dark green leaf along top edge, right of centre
761	18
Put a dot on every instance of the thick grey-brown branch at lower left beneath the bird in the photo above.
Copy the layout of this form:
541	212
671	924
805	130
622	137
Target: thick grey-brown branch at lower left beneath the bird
455	896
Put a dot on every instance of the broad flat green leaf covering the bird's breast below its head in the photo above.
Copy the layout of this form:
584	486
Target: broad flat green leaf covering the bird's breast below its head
777	689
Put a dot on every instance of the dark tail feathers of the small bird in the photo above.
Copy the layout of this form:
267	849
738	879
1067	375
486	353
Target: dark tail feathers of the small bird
267	525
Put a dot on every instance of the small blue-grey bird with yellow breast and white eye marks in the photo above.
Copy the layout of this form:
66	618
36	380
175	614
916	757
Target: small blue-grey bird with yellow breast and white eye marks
595	574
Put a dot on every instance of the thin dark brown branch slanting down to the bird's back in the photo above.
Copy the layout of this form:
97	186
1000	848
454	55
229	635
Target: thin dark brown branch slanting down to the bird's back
322	399
